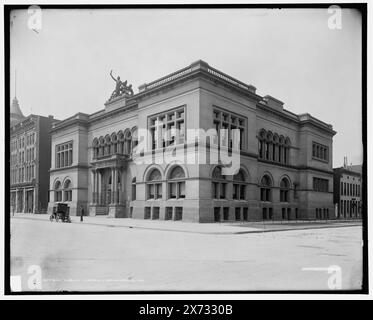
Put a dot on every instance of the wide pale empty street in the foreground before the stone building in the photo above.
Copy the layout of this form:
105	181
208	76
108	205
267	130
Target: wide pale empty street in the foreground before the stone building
107	256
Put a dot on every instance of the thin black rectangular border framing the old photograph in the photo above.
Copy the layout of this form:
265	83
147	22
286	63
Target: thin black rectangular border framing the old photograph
361	7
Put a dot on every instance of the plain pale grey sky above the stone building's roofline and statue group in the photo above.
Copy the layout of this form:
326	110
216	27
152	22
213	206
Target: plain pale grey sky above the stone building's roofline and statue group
291	54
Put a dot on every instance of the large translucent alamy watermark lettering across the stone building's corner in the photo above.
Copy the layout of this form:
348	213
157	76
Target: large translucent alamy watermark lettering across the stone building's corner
199	146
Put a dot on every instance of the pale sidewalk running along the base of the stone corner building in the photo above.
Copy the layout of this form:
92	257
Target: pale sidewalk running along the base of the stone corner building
202	228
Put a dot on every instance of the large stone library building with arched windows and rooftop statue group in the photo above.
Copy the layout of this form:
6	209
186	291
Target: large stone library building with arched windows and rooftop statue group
285	159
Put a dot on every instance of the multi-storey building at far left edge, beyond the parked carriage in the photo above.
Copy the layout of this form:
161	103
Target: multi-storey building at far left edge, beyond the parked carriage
29	161
